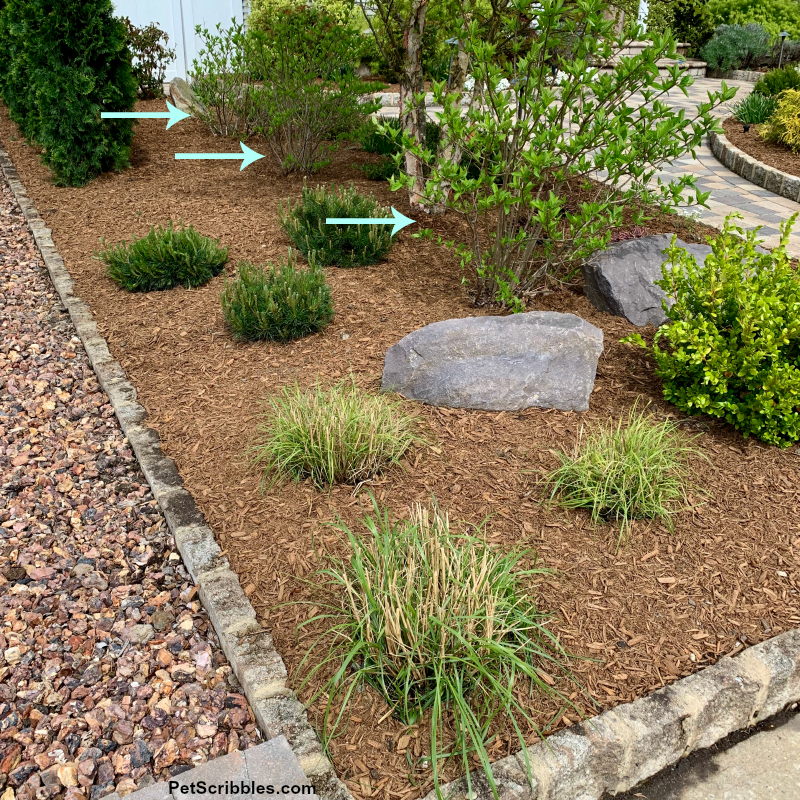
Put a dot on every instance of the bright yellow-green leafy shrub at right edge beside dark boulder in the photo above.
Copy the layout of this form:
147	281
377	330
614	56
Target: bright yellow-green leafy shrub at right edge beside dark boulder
732	347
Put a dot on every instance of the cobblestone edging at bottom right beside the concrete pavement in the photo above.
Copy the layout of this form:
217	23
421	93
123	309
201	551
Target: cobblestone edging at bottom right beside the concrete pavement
620	748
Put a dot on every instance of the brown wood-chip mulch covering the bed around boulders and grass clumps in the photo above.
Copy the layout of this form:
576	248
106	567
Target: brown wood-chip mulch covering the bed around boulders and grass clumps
659	608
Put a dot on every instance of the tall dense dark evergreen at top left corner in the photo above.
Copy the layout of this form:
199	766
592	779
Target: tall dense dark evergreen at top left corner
63	63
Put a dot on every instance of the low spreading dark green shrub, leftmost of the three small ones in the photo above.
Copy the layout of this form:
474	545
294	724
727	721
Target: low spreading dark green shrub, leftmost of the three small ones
165	258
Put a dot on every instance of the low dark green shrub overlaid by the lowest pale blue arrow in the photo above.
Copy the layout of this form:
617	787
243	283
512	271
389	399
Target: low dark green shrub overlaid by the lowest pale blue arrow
337	245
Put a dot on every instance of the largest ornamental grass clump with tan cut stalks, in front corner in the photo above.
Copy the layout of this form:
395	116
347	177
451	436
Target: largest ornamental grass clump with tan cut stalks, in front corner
443	626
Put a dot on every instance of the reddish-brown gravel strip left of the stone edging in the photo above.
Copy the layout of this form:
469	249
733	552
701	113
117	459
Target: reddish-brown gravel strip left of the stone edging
111	675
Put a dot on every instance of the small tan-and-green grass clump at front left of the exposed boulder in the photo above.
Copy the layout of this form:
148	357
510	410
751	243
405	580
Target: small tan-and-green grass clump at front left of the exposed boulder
341	434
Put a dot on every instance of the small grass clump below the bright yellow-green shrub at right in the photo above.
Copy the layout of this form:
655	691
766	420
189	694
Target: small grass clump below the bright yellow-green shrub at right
636	469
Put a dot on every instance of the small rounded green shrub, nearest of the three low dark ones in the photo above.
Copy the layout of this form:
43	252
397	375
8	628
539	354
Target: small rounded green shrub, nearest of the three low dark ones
278	304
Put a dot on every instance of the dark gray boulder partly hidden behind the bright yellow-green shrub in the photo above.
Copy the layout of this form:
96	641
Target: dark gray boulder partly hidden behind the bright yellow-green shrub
621	279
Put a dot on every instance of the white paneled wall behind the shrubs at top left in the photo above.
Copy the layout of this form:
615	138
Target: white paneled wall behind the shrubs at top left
178	19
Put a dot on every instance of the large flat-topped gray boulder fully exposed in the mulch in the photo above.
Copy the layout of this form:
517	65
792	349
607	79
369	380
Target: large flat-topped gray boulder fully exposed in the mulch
541	358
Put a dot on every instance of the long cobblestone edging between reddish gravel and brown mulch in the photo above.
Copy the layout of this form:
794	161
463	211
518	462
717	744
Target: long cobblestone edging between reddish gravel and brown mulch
249	649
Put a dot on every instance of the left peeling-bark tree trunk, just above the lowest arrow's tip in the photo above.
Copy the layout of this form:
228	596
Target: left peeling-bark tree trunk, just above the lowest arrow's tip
412	114
